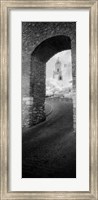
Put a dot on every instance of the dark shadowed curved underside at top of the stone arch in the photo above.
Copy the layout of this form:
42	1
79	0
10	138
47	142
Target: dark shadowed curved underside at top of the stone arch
49	47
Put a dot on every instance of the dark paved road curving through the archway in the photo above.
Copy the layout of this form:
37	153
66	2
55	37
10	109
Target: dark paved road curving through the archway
49	149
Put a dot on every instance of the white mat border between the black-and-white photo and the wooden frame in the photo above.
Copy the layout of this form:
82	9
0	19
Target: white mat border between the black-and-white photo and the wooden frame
81	183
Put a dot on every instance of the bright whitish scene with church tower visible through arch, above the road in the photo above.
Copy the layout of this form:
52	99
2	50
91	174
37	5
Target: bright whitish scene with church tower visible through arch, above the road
59	74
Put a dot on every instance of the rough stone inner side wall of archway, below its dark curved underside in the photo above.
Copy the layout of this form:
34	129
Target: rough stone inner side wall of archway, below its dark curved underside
37	90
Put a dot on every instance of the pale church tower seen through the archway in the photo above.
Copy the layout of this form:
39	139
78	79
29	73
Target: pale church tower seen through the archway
57	73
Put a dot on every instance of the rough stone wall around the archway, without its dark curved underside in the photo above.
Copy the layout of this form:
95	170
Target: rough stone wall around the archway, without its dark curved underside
33	34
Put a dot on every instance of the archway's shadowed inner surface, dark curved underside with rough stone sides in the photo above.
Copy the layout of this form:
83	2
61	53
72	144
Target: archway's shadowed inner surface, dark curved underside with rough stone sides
42	53
